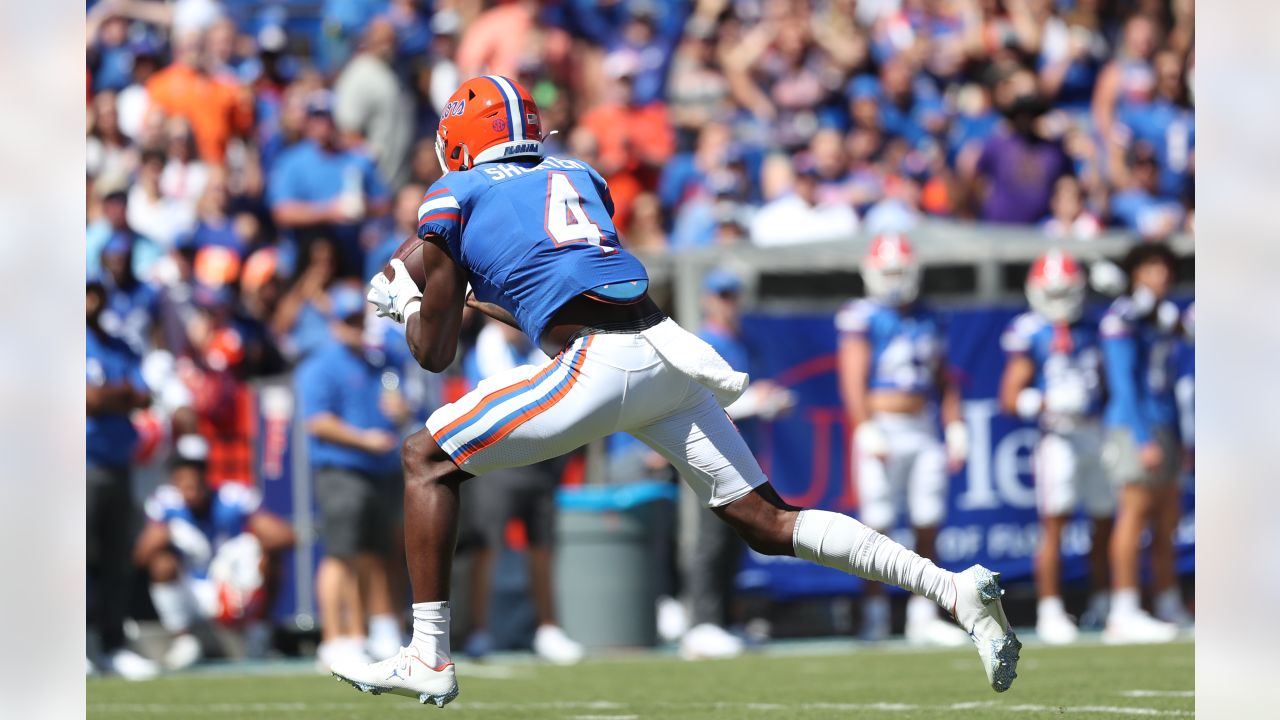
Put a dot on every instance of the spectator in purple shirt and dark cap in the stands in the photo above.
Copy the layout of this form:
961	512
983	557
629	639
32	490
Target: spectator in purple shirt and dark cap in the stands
1014	176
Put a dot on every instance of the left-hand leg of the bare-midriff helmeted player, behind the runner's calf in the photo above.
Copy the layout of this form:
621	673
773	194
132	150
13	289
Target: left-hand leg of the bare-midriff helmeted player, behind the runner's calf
880	502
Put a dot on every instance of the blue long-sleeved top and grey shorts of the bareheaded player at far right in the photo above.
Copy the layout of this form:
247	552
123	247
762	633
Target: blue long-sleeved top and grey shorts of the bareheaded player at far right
1140	357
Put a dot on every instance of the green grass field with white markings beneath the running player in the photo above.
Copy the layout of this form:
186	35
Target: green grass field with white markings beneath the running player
802	681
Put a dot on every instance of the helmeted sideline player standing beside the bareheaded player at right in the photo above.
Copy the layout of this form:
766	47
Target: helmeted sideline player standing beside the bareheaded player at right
1054	376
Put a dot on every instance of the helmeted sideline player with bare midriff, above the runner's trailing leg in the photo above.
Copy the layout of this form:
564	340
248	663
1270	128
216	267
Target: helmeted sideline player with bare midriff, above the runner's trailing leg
892	368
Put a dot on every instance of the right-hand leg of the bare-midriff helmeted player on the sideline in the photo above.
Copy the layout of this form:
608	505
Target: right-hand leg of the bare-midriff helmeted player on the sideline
927	509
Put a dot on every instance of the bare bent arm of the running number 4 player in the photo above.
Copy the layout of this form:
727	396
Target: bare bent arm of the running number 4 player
433	331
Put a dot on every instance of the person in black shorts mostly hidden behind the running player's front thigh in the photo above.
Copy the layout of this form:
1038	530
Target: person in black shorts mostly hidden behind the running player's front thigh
525	494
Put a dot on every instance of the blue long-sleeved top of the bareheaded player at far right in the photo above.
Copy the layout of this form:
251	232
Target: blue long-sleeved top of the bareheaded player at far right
1141	366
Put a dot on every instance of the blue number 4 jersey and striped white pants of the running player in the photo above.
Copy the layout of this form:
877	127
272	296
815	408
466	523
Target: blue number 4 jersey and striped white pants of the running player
532	236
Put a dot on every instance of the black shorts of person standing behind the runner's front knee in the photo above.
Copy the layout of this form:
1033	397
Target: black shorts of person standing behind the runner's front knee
528	494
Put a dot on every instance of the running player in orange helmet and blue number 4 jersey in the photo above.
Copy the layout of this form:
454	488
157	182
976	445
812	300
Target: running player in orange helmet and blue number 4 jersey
533	236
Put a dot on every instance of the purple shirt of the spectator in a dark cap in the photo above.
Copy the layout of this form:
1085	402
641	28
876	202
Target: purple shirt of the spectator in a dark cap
1021	174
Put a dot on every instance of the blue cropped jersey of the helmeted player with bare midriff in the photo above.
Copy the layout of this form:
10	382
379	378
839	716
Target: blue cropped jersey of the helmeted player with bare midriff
908	349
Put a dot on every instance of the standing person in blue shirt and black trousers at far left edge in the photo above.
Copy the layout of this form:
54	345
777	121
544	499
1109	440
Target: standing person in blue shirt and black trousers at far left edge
115	390
